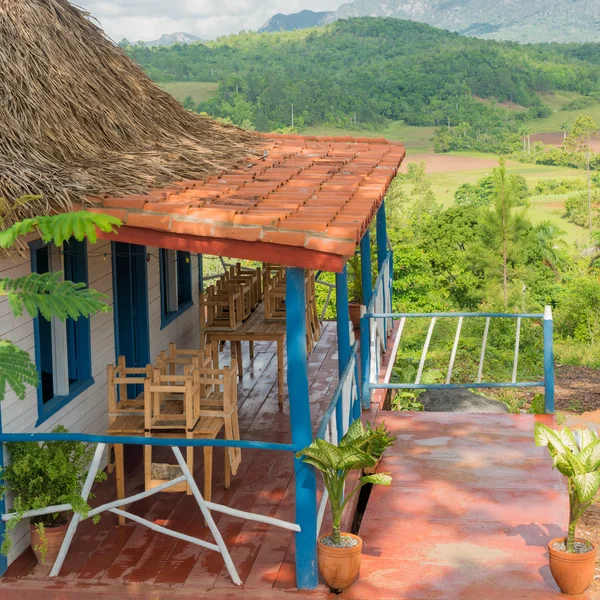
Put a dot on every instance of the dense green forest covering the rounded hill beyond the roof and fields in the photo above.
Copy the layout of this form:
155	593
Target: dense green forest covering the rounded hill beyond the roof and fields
362	72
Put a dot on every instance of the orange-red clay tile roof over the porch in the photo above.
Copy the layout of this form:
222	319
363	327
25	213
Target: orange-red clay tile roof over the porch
307	203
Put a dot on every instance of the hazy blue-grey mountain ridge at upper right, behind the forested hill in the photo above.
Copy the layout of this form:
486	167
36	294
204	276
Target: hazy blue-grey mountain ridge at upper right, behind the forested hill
515	20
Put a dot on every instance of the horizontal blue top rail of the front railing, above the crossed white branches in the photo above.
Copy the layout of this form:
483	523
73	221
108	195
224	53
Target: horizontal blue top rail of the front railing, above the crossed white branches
142	441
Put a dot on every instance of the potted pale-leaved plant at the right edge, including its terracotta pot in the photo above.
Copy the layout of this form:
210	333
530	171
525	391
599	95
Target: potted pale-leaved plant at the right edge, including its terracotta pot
576	454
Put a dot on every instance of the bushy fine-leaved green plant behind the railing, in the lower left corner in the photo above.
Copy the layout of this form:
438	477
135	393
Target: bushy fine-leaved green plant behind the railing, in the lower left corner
42	475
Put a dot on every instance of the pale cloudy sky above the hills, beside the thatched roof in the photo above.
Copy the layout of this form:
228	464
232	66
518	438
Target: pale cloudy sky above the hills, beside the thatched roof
149	19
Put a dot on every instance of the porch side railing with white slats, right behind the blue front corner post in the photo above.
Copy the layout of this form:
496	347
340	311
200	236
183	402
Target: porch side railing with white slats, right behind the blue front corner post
342	411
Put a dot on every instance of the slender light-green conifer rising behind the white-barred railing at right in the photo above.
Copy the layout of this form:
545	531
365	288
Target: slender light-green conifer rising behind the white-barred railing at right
503	229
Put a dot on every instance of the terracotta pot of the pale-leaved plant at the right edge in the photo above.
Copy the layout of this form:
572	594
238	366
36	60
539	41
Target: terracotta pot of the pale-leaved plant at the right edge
573	573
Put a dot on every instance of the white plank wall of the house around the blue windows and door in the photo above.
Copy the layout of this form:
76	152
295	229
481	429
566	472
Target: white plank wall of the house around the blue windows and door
87	413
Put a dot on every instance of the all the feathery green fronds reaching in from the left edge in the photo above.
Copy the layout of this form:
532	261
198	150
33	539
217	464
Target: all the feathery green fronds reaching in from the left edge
46	294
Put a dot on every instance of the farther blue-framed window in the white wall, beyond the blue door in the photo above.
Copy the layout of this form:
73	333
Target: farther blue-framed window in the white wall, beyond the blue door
175	284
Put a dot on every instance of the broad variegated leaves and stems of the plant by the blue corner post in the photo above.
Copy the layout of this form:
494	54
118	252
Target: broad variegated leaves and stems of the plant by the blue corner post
356	450
